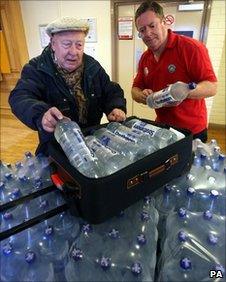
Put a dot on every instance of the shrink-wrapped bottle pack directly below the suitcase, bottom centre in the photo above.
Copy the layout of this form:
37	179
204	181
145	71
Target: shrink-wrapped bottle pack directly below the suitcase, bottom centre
120	249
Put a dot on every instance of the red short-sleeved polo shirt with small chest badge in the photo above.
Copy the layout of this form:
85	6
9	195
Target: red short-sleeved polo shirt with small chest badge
184	59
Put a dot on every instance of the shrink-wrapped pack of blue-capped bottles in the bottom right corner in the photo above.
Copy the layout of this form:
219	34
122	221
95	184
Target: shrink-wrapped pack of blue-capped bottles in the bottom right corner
193	247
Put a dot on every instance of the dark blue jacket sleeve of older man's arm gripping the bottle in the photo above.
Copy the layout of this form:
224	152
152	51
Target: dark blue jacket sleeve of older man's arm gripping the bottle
27	98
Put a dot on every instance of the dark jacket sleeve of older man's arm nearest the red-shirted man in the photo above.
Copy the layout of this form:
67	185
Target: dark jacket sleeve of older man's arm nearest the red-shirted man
112	93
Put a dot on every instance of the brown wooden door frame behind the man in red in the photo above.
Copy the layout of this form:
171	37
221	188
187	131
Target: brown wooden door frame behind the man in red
114	25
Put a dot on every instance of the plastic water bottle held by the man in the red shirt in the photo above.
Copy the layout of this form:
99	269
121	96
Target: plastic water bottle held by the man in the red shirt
175	92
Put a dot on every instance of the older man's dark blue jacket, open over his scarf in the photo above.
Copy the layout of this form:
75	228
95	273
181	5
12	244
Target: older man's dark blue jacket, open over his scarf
42	87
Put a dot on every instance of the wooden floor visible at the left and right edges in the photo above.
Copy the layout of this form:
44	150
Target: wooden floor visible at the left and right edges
16	138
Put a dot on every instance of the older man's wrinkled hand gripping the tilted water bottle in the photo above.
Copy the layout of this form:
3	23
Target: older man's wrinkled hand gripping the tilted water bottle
50	118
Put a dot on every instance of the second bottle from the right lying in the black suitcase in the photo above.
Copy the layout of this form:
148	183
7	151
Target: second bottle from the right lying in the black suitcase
133	135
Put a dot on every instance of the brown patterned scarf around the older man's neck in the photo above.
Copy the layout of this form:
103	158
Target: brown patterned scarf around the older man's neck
73	81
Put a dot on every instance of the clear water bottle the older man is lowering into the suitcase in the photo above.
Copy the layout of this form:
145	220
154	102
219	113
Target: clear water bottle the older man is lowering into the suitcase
71	139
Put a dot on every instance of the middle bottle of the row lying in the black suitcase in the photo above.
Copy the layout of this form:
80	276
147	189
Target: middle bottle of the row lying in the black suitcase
128	149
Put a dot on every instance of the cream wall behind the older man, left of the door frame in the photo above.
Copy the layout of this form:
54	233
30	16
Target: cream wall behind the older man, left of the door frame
37	13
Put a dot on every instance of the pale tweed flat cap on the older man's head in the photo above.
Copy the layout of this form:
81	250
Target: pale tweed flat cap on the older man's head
67	24
